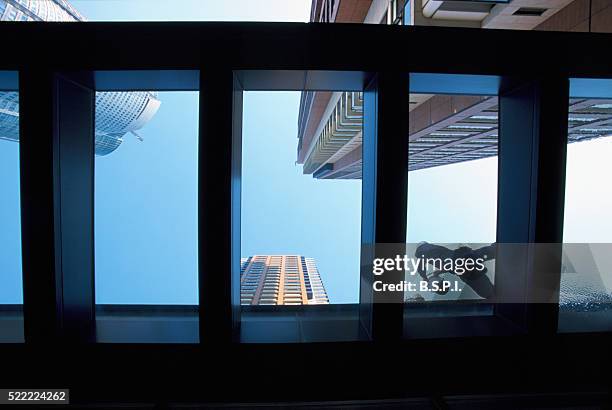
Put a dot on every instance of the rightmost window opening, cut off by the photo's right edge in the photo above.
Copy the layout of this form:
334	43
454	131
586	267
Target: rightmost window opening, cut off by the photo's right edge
585	299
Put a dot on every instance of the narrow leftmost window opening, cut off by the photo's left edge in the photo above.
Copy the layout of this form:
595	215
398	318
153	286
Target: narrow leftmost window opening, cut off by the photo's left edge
11	283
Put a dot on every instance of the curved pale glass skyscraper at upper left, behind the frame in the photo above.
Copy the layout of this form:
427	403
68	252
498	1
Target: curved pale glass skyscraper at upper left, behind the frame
117	113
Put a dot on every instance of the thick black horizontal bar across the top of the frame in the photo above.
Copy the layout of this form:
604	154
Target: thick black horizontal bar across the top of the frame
333	47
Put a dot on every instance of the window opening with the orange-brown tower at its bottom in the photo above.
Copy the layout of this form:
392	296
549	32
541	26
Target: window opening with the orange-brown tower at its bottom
301	212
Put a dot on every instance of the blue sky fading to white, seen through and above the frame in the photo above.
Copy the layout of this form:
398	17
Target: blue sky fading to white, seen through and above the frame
146	192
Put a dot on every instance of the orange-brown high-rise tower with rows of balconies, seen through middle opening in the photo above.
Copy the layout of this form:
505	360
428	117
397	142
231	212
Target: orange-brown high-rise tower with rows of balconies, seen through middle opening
280	280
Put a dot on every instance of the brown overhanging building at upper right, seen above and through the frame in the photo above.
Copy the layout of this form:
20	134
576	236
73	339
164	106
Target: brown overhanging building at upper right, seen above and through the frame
444	129
